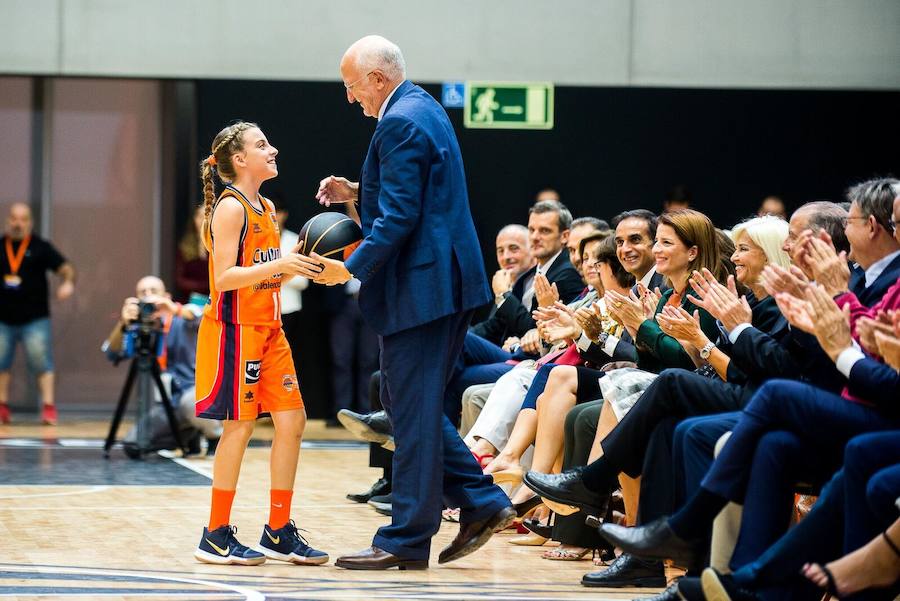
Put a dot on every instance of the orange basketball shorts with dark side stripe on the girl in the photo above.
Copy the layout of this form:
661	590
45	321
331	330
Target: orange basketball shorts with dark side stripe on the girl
243	371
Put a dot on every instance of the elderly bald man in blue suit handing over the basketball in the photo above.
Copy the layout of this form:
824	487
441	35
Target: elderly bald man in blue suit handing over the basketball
422	278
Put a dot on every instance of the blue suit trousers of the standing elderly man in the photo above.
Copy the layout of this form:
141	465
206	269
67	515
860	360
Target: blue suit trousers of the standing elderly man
432	466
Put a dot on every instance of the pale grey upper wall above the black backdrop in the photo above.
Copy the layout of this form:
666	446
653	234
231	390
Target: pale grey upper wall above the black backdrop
715	43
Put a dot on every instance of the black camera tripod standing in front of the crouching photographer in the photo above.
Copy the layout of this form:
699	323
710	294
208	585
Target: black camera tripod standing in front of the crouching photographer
145	369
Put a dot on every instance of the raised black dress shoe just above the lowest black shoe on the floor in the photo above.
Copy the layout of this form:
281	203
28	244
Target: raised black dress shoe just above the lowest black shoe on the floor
653	541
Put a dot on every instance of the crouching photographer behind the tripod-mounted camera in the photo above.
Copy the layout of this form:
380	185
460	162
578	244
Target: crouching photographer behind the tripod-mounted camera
151	317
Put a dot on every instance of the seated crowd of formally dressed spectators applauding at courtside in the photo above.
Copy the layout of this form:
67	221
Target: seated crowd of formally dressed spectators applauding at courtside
709	410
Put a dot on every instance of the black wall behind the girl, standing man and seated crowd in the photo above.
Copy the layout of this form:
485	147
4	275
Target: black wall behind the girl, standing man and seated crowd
611	149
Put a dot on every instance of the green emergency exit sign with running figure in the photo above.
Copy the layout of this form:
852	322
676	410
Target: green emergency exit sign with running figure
494	105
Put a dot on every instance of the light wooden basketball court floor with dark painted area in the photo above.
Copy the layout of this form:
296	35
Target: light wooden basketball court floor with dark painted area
73	525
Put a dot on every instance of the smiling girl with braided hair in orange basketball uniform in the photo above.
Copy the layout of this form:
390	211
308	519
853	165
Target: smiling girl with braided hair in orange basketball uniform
244	364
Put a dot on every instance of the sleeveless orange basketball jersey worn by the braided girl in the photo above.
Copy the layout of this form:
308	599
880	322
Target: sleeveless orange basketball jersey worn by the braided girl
259	304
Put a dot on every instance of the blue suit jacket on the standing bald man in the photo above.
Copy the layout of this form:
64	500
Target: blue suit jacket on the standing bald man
420	258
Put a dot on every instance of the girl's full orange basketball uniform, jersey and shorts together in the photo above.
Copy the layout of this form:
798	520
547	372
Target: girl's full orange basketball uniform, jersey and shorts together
244	364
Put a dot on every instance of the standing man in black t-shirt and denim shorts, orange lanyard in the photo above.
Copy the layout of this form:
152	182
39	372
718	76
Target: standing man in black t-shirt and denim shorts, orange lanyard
24	308
